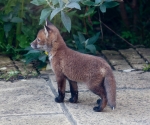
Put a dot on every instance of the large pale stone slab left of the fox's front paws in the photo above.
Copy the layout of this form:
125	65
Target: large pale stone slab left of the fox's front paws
27	97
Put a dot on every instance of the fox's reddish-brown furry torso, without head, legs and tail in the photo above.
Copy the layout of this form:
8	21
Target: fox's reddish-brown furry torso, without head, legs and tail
81	67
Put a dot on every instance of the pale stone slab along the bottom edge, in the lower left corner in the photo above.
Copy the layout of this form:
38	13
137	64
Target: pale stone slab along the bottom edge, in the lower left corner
36	119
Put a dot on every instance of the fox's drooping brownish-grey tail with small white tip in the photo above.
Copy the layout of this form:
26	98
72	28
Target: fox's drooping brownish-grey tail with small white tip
110	87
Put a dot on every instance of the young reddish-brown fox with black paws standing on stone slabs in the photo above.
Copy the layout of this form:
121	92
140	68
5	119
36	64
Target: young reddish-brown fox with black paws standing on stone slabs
68	64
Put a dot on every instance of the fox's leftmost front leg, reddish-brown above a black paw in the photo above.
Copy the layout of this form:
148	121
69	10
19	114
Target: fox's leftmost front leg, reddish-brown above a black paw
61	82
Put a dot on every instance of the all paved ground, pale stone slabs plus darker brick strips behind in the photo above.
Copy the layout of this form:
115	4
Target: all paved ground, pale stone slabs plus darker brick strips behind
31	102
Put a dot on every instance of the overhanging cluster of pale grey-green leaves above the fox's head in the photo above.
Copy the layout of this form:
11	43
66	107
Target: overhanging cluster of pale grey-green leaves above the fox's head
54	7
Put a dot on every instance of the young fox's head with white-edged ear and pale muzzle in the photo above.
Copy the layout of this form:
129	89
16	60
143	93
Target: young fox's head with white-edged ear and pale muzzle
45	37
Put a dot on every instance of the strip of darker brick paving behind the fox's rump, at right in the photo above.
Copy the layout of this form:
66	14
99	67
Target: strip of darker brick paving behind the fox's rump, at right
128	58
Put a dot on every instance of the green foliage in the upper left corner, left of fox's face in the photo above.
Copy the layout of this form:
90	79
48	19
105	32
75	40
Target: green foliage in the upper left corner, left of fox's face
16	33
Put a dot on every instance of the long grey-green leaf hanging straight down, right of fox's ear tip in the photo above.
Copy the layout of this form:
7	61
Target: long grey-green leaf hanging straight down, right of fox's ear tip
66	21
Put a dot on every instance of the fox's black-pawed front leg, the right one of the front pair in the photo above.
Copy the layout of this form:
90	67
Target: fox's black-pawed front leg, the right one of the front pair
74	91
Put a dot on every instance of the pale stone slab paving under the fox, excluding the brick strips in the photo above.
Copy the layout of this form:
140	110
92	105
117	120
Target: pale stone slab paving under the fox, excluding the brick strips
31	102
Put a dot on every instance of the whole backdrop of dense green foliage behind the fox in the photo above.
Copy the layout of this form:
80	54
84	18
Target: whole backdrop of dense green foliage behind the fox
78	22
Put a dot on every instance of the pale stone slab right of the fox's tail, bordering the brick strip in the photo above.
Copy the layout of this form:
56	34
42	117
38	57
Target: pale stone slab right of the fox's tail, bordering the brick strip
132	80
